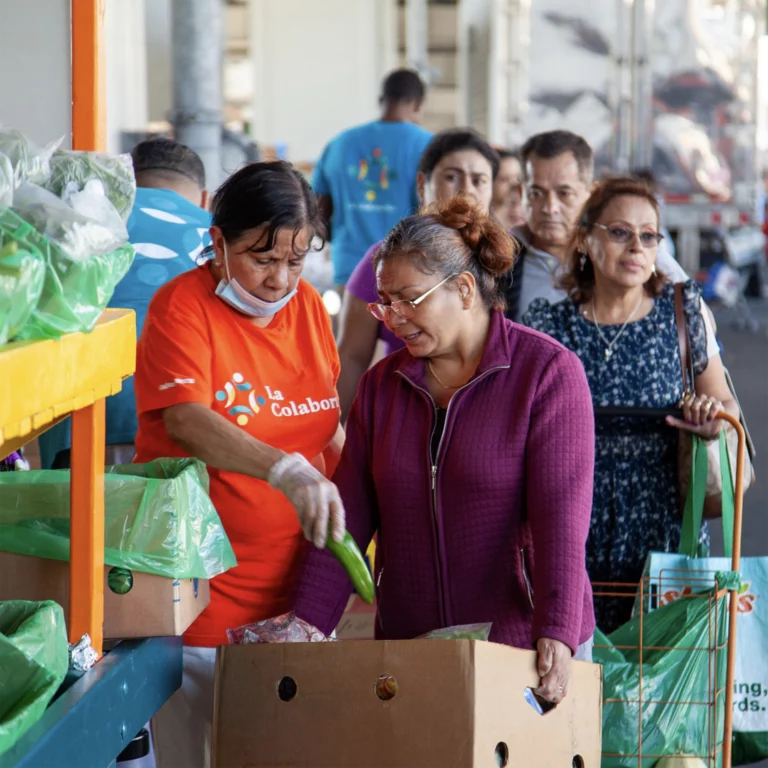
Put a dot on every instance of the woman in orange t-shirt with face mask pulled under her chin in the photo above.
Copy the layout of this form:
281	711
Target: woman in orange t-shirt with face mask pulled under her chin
237	366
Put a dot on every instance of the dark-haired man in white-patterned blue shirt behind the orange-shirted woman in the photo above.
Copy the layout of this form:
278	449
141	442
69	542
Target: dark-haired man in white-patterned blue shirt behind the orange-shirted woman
168	228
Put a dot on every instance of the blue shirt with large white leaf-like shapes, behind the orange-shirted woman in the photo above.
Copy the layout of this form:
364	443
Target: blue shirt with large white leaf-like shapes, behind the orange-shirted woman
169	234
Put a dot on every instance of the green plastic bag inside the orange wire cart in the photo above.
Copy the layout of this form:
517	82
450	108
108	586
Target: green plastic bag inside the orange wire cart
671	679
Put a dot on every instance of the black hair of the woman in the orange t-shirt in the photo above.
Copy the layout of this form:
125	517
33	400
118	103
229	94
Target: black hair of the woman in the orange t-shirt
260	194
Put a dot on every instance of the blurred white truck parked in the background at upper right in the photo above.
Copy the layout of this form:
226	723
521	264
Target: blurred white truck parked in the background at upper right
669	85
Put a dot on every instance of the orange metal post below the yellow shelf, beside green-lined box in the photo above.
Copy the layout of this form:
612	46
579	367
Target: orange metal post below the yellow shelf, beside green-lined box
86	574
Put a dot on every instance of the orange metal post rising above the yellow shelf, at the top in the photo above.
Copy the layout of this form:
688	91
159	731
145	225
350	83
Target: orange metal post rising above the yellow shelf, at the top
88	75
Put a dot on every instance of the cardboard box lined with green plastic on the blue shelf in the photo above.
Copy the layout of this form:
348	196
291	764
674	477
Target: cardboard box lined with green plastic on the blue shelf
154	606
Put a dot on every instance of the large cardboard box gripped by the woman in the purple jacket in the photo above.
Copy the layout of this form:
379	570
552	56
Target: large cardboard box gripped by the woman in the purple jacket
403	704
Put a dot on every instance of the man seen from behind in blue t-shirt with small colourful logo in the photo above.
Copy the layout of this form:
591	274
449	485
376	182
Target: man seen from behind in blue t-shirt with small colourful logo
366	176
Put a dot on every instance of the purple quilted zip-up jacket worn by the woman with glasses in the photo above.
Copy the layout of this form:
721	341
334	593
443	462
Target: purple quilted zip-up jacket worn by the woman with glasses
495	530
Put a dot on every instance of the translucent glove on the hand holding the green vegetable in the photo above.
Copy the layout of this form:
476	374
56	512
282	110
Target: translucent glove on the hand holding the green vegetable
315	498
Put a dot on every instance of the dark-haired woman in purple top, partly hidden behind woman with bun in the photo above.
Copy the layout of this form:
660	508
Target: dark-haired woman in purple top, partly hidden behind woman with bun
456	161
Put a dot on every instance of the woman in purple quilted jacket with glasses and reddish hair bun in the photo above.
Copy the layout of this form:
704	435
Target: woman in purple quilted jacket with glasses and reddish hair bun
470	454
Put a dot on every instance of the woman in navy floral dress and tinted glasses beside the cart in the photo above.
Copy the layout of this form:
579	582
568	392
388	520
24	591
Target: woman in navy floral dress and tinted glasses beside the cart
620	320
